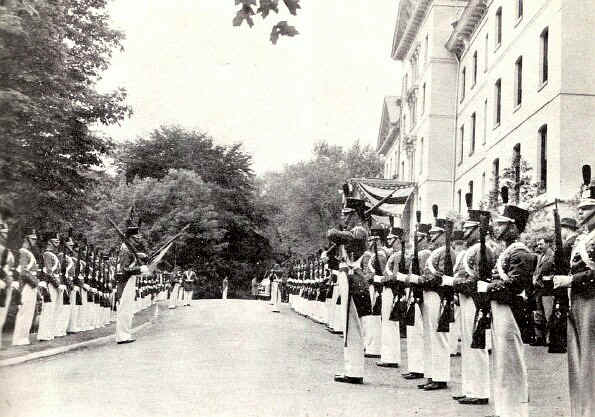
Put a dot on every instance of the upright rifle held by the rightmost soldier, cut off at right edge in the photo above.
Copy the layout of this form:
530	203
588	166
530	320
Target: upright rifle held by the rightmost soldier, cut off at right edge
557	322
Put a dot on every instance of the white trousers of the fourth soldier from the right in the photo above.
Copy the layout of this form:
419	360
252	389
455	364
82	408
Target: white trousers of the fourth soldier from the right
436	349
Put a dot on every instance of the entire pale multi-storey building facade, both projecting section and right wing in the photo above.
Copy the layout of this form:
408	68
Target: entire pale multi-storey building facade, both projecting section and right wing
483	79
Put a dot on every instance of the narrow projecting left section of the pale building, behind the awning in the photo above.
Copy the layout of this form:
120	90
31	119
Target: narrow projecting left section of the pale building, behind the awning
422	150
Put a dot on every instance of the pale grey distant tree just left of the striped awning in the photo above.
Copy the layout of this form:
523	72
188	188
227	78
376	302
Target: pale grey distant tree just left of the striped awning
303	199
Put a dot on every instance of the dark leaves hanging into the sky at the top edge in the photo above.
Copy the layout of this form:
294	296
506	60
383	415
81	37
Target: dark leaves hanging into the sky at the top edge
246	11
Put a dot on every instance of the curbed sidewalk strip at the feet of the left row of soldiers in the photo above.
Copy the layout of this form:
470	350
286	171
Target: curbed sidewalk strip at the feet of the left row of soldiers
12	355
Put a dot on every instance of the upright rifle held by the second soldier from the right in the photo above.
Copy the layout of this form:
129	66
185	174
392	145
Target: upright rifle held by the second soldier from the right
482	301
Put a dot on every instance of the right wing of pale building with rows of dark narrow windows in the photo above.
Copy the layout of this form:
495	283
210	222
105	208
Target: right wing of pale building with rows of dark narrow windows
526	83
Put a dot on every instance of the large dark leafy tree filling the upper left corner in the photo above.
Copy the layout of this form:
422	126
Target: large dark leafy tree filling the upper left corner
52	53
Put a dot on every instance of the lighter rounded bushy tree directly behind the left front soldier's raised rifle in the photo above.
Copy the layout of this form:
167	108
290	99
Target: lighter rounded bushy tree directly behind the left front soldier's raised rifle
164	206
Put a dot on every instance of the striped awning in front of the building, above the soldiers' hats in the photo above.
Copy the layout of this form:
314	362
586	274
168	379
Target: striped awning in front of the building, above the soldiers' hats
372	190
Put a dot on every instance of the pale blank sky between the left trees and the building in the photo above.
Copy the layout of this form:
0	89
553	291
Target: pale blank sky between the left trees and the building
184	63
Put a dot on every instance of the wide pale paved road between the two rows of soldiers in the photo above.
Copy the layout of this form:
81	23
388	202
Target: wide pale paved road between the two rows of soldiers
236	358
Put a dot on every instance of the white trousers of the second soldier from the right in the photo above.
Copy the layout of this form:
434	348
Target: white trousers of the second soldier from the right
509	370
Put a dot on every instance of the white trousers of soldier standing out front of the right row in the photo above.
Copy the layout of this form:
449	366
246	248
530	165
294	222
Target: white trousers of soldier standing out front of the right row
353	343
